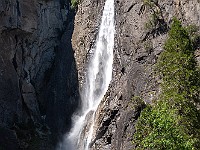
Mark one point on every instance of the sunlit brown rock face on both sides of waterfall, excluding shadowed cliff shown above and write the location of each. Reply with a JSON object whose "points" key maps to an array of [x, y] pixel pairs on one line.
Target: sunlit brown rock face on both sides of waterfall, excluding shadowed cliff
{"points": [[138, 42]]}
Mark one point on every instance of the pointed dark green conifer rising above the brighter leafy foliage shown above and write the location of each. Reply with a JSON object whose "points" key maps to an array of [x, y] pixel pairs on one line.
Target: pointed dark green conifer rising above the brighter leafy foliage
{"points": [[177, 64]]}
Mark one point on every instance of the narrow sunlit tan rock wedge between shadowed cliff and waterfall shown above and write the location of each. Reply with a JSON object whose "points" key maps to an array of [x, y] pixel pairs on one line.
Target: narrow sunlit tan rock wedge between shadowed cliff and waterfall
{"points": [[87, 22]]}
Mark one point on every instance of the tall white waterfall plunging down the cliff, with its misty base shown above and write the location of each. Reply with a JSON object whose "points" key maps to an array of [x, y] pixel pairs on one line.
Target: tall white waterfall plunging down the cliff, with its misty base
{"points": [[98, 77]]}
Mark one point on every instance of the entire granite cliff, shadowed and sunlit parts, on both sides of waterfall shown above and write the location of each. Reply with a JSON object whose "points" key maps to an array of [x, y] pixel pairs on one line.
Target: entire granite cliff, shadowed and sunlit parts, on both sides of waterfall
{"points": [[44, 50]]}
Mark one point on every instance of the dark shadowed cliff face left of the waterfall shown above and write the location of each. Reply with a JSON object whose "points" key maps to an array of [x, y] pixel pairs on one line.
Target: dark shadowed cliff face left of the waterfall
{"points": [[38, 77]]}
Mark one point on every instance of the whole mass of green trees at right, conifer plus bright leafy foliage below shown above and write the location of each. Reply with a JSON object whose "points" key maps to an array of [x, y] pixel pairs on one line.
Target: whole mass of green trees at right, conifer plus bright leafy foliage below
{"points": [[173, 122]]}
